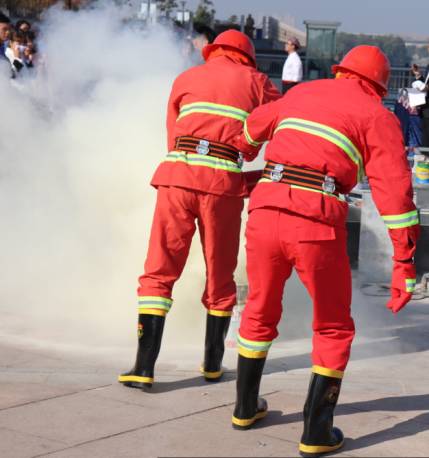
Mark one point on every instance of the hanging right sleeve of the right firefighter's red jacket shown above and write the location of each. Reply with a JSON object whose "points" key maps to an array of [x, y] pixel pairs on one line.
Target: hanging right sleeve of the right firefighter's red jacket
{"points": [[389, 176]]}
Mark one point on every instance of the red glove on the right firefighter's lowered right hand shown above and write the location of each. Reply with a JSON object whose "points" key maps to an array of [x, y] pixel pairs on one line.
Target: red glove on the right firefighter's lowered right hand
{"points": [[403, 285]]}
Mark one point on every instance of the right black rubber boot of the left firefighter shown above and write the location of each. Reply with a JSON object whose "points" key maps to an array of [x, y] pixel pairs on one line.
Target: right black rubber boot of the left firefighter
{"points": [[216, 330]]}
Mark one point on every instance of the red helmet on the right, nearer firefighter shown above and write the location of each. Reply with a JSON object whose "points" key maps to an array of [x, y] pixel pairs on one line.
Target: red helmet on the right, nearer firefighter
{"points": [[369, 62]]}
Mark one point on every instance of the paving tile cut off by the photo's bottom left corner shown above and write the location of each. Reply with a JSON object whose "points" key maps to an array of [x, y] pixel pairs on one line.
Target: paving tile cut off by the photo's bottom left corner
{"points": [[14, 444]]}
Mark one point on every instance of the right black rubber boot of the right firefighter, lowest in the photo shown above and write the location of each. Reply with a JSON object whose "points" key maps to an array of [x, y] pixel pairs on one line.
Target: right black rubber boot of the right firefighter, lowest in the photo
{"points": [[320, 436]]}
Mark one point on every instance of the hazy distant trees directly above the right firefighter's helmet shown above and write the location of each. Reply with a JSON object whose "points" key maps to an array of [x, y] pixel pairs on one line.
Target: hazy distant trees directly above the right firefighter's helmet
{"points": [[392, 45]]}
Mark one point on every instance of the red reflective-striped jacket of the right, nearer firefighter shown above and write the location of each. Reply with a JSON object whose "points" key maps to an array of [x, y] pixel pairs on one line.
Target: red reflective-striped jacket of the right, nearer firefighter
{"points": [[340, 128]]}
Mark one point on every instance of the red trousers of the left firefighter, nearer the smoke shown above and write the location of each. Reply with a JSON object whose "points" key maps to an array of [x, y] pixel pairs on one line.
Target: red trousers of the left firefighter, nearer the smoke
{"points": [[174, 224]]}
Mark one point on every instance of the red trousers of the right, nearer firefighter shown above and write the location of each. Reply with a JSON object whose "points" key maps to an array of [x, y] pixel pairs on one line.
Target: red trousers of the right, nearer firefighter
{"points": [[277, 242]]}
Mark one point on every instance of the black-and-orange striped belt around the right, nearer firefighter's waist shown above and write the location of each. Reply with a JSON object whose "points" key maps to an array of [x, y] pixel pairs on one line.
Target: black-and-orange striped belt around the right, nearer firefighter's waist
{"points": [[298, 176]]}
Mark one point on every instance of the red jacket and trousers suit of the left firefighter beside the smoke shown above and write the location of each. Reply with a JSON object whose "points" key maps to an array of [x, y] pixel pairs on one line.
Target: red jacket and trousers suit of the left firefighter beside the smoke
{"points": [[209, 102]]}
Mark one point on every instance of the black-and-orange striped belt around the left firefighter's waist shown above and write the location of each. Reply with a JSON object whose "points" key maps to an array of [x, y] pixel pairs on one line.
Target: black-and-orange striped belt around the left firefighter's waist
{"points": [[208, 148]]}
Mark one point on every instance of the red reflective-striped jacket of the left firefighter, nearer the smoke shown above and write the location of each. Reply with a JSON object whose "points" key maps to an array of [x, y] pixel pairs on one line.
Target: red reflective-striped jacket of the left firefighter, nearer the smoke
{"points": [[211, 101]]}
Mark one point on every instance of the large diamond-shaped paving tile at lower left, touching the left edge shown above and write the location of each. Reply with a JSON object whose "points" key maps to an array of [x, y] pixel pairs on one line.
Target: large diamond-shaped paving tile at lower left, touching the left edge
{"points": [[78, 418]]}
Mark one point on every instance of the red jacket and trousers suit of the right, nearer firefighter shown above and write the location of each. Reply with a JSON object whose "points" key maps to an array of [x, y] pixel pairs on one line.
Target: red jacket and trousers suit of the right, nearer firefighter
{"points": [[340, 128]]}
